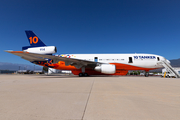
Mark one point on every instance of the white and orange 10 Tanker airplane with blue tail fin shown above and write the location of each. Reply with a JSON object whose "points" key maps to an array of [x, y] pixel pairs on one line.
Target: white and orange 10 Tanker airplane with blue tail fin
{"points": [[87, 64]]}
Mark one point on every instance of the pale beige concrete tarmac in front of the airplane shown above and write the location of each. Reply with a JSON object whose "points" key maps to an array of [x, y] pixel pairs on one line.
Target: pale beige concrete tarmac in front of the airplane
{"points": [[57, 97]]}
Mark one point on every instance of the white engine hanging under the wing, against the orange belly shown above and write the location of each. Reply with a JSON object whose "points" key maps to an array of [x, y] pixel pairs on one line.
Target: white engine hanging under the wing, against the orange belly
{"points": [[106, 68]]}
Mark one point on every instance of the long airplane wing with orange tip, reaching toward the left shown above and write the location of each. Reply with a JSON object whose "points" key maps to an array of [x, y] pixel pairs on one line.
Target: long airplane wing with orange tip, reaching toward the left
{"points": [[40, 57]]}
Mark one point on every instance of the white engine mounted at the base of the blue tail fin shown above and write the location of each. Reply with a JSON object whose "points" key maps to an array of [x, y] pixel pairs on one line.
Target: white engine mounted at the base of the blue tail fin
{"points": [[42, 50]]}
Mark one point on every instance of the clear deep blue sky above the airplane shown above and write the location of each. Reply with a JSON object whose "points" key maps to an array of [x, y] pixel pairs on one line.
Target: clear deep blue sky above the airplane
{"points": [[92, 26]]}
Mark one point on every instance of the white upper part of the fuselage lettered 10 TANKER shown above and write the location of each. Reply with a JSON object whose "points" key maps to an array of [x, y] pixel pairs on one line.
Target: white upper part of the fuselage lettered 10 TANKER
{"points": [[138, 60]]}
